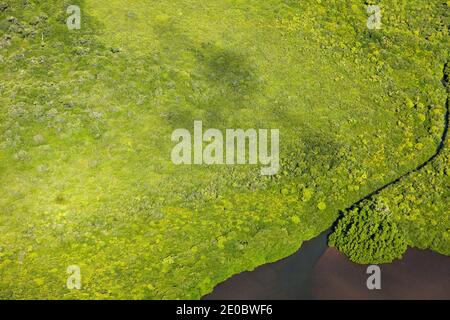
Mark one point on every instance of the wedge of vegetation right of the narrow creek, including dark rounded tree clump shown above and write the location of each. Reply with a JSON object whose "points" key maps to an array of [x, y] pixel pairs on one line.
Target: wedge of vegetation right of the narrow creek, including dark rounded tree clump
{"points": [[413, 212]]}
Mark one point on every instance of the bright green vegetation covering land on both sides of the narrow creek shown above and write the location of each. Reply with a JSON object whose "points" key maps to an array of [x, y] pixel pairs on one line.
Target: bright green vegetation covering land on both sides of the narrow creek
{"points": [[86, 118]]}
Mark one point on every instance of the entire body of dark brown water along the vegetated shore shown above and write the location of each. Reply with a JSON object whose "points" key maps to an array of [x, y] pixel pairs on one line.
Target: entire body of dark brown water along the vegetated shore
{"points": [[318, 272]]}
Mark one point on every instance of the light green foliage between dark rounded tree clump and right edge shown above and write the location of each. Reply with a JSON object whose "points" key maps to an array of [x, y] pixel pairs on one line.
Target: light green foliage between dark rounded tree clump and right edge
{"points": [[420, 205]]}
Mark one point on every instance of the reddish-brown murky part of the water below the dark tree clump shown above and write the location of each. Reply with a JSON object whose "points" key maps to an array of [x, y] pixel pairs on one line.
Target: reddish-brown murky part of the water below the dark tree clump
{"points": [[420, 274]]}
